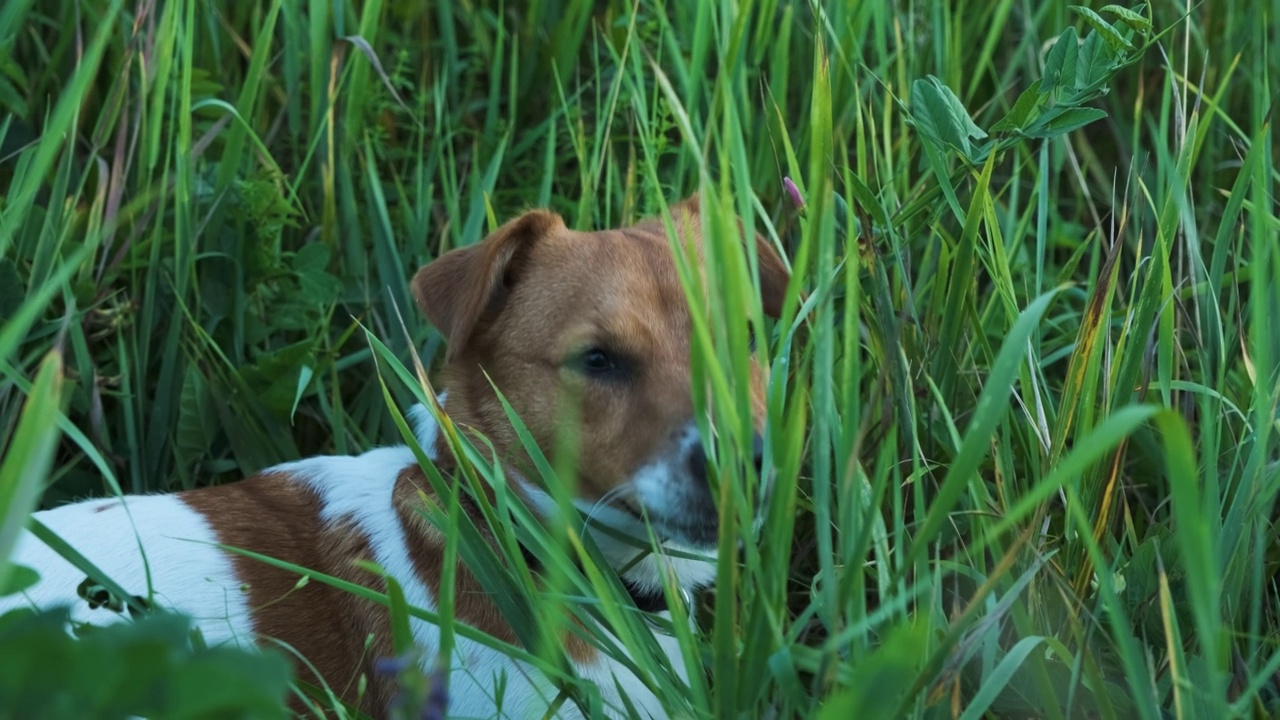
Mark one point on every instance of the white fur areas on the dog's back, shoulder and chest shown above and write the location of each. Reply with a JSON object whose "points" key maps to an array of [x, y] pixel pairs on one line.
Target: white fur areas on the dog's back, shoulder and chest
{"points": [[191, 576]]}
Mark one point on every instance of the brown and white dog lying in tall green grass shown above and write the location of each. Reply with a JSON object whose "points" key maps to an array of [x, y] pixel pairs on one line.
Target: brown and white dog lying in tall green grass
{"points": [[537, 309]]}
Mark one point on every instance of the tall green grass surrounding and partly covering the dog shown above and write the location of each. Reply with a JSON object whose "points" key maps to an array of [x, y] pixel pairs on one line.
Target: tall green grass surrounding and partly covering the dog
{"points": [[1026, 445]]}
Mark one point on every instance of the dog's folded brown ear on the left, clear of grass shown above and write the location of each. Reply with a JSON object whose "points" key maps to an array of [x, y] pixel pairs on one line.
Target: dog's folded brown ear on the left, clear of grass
{"points": [[456, 290]]}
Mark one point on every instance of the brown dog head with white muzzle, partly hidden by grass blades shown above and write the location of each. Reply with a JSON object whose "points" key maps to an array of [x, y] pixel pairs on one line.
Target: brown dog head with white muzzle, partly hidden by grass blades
{"points": [[600, 318]]}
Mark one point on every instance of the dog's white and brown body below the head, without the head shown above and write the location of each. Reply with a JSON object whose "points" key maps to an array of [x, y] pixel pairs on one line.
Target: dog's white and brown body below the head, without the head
{"points": [[322, 513]]}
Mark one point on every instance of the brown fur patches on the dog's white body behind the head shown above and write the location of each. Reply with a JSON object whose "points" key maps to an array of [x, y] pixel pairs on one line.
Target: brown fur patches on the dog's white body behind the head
{"points": [[280, 517]]}
